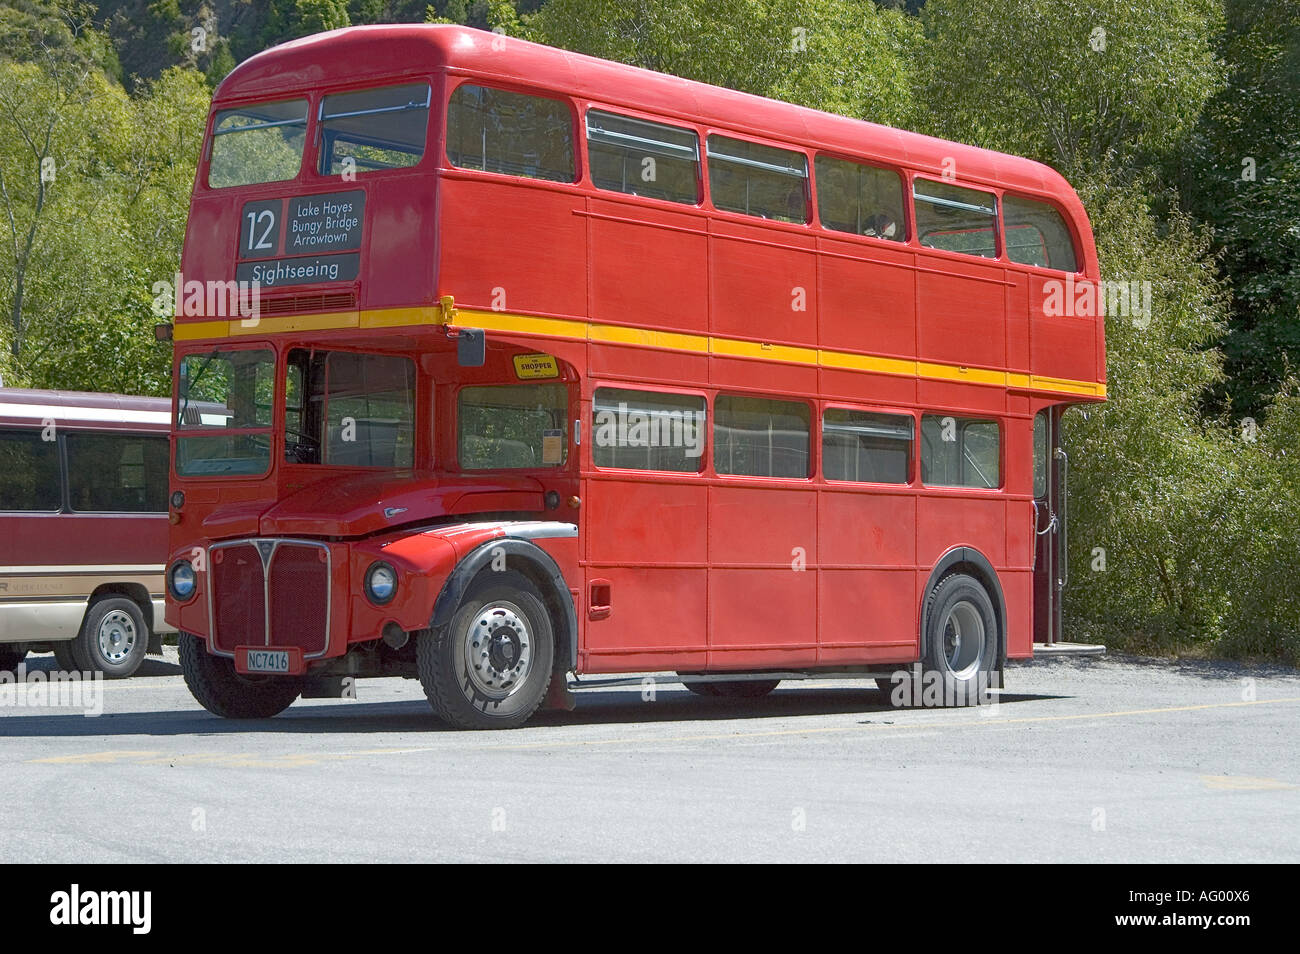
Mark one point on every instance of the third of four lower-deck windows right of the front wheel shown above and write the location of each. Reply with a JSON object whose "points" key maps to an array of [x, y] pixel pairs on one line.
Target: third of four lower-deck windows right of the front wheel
{"points": [[866, 448]]}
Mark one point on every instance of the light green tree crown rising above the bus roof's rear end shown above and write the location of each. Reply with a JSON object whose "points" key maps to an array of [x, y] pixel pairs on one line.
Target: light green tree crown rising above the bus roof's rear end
{"points": [[1085, 85]]}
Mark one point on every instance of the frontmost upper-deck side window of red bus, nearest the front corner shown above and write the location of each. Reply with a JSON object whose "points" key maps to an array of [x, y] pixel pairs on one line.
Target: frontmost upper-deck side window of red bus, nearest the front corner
{"points": [[510, 133]]}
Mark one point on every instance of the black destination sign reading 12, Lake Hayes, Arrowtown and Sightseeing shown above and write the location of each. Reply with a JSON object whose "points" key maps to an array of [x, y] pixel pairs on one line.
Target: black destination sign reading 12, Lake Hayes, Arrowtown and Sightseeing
{"points": [[310, 227]]}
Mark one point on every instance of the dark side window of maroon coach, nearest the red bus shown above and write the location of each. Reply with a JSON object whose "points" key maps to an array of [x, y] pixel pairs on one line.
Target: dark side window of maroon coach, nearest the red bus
{"points": [[118, 474]]}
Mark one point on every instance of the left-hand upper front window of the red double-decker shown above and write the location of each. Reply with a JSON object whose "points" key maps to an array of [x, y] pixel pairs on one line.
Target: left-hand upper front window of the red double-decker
{"points": [[258, 144]]}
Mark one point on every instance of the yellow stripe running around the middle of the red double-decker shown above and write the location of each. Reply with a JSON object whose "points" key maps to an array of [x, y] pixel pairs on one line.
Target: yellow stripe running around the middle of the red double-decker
{"points": [[643, 337]]}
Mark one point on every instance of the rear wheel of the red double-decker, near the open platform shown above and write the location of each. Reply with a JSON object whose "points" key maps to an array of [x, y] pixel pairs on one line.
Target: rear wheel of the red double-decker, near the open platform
{"points": [[961, 639]]}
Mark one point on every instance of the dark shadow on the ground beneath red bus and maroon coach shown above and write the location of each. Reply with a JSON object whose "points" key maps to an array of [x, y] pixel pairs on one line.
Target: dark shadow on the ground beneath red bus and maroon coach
{"points": [[595, 708]]}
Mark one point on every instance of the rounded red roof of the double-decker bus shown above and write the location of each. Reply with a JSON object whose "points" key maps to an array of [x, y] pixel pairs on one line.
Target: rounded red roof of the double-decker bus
{"points": [[391, 51]]}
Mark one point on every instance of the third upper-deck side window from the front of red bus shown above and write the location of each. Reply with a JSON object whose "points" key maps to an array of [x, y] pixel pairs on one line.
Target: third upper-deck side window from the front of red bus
{"points": [[759, 180]]}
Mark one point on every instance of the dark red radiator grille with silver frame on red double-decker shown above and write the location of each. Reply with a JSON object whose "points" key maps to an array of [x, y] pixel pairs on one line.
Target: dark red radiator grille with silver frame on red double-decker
{"points": [[276, 583]]}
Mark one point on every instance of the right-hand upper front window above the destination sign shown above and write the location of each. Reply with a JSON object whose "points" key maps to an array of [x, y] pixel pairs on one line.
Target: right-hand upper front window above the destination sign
{"points": [[374, 129]]}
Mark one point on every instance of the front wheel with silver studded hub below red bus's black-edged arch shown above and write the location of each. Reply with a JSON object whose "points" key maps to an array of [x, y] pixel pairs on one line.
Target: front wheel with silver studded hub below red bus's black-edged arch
{"points": [[491, 667]]}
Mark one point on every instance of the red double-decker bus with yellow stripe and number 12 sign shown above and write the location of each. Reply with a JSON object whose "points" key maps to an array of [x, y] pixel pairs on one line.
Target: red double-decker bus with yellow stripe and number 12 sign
{"points": [[561, 367]]}
